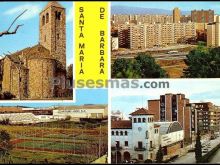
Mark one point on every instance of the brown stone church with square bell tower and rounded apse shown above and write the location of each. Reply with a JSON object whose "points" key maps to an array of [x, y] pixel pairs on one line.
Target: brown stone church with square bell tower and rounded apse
{"points": [[30, 73]]}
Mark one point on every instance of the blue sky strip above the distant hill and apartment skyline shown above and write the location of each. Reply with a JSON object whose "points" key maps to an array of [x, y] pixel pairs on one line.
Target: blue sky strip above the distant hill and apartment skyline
{"points": [[168, 5]]}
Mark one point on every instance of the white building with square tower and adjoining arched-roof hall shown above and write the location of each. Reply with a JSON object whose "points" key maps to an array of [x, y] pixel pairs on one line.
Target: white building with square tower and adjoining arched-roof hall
{"points": [[140, 137]]}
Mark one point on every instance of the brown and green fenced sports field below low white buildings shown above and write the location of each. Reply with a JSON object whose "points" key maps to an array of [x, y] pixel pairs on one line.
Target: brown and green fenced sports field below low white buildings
{"points": [[57, 142]]}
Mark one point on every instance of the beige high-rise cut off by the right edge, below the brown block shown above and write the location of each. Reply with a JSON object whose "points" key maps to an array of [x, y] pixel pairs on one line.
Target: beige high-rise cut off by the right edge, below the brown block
{"points": [[213, 33]]}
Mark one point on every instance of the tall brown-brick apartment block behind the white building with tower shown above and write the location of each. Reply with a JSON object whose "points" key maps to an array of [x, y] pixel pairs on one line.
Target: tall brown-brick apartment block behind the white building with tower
{"points": [[172, 107]]}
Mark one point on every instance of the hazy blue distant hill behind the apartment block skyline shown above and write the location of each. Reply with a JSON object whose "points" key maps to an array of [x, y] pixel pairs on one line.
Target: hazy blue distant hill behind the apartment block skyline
{"points": [[140, 10]]}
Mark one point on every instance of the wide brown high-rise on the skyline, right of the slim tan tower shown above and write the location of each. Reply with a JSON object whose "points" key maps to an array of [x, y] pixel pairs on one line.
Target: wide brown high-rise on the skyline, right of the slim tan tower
{"points": [[202, 16]]}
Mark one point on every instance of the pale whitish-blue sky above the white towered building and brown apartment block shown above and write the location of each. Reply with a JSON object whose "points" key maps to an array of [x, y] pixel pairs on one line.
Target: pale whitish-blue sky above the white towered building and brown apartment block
{"points": [[197, 90]]}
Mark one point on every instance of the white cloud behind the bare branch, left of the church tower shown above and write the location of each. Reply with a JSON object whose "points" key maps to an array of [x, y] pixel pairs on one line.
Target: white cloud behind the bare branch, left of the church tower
{"points": [[33, 10]]}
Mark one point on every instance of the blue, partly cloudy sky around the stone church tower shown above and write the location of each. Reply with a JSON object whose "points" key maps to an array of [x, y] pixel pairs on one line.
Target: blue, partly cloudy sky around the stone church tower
{"points": [[28, 35]]}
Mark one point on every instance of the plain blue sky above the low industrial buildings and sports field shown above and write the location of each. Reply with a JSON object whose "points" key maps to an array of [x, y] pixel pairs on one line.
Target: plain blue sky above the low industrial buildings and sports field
{"points": [[83, 96]]}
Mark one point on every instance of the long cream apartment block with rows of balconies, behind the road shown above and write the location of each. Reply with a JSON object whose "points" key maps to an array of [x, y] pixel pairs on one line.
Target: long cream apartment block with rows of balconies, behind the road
{"points": [[142, 36]]}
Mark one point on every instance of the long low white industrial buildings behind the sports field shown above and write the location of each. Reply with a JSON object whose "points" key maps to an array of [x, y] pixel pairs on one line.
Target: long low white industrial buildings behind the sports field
{"points": [[27, 115]]}
